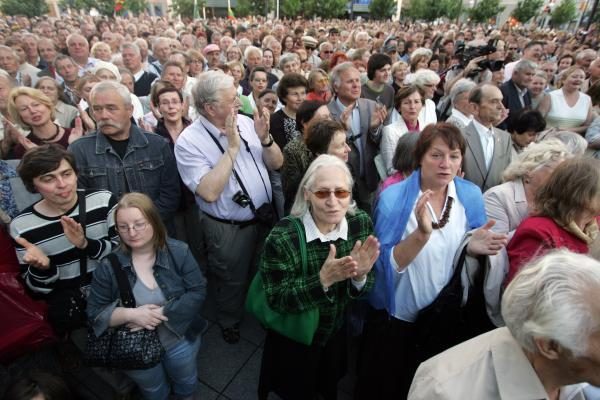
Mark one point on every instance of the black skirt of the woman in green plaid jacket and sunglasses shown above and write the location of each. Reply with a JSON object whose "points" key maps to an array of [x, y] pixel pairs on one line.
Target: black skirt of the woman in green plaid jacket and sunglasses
{"points": [[295, 371]]}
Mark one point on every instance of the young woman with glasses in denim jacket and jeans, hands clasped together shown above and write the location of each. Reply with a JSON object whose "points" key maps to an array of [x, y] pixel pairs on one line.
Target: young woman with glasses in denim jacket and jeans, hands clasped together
{"points": [[169, 290]]}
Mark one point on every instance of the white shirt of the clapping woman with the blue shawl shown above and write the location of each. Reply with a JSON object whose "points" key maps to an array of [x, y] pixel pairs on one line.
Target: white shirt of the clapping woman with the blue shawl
{"points": [[421, 281]]}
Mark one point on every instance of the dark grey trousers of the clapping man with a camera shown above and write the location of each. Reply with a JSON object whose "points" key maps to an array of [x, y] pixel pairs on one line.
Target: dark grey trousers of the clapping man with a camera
{"points": [[232, 255]]}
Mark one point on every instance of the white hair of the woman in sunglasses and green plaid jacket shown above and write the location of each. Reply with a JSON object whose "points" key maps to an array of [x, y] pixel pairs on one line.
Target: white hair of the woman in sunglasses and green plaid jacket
{"points": [[301, 205]]}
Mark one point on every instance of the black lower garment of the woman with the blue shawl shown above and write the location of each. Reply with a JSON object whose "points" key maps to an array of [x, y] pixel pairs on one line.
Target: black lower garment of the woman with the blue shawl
{"points": [[387, 360]]}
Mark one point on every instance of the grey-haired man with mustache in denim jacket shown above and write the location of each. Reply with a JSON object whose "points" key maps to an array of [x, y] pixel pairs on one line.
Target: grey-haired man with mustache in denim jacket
{"points": [[122, 158]]}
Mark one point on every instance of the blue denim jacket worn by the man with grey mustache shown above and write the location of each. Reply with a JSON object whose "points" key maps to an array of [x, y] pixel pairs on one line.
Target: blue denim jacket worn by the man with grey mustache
{"points": [[148, 167]]}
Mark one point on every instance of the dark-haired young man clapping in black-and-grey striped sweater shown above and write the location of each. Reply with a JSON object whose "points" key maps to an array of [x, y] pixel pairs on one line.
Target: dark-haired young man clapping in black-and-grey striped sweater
{"points": [[51, 244]]}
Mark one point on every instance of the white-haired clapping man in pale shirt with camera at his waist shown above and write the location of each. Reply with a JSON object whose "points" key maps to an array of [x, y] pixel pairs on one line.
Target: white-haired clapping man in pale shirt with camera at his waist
{"points": [[224, 159]]}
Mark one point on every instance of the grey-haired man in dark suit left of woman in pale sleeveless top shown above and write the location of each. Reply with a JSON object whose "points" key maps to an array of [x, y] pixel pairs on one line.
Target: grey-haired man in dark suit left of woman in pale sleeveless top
{"points": [[514, 91]]}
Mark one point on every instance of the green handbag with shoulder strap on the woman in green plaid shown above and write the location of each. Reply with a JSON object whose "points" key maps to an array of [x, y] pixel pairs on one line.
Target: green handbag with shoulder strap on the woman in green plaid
{"points": [[300, 327]]}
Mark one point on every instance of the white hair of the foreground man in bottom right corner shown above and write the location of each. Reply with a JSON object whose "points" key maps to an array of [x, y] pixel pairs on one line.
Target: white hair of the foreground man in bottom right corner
{"points": [[553, 298]]}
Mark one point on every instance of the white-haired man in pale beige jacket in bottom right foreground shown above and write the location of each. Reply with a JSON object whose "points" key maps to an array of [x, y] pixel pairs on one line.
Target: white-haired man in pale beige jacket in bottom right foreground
{"points": [[550, 345]]}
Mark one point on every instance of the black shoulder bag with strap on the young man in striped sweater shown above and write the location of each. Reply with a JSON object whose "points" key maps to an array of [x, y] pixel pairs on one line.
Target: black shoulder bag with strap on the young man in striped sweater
{"points": [[66, 306]]}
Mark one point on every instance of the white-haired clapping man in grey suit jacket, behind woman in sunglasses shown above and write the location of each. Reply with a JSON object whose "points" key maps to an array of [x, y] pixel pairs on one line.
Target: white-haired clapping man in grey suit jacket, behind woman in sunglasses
{"points": [[363, 119]]}
